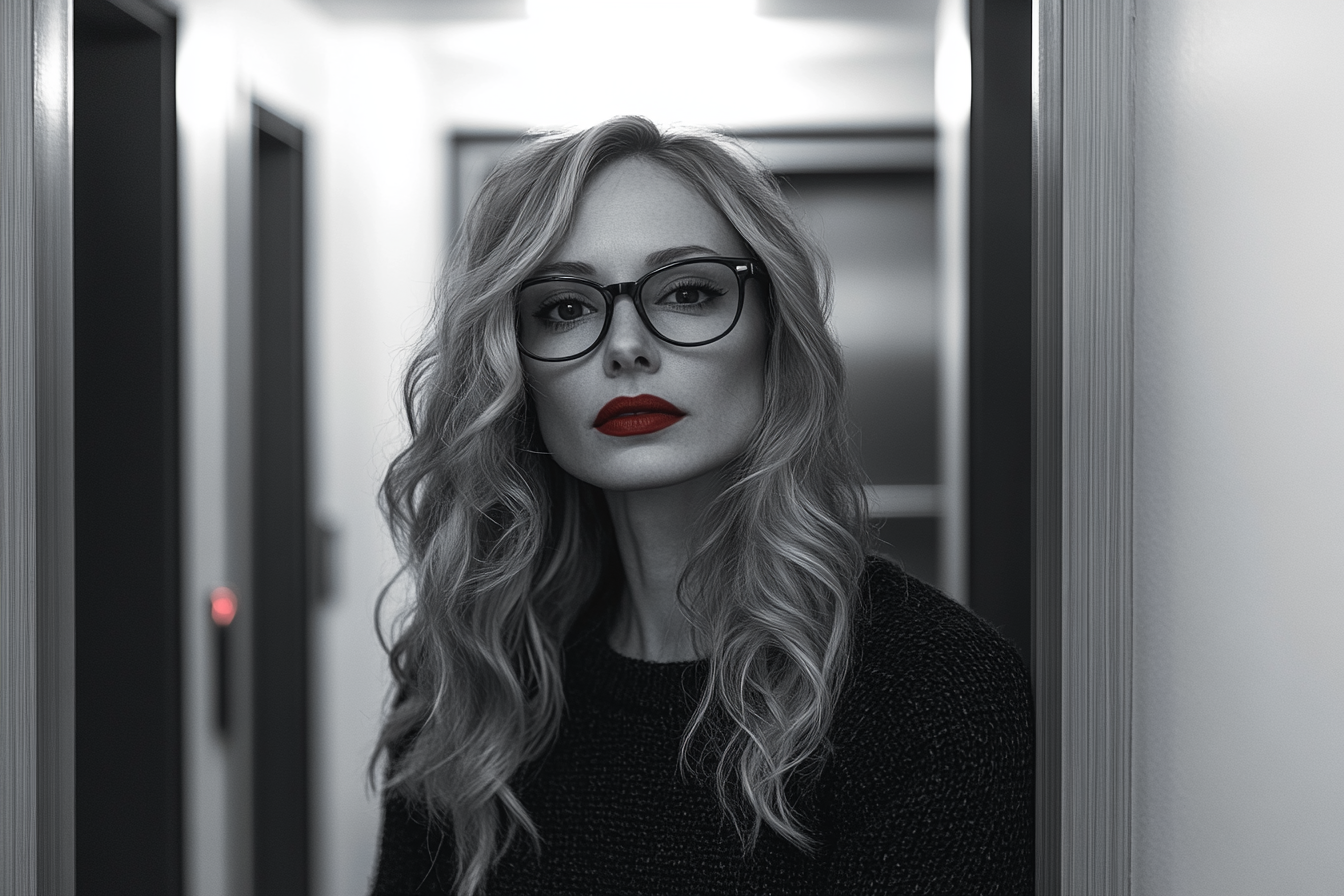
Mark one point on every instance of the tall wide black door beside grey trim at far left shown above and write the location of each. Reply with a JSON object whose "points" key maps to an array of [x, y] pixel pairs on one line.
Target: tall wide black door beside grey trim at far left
{"points": [[128, 670]]}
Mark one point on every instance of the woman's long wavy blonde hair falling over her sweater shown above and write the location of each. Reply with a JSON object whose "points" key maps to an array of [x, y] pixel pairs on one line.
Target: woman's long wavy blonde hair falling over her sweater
{"points": [[505, 549]]}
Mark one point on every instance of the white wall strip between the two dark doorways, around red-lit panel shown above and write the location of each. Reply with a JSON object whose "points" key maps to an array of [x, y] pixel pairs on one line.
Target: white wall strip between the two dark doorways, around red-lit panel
{"points": [[230, 53]]}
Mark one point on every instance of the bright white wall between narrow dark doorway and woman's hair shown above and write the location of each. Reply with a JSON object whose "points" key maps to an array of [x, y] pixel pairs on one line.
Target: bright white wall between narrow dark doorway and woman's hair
{"points": [[380, 198]]}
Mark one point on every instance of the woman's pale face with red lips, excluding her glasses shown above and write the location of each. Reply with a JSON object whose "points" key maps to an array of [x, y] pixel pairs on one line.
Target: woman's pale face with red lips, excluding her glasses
{"points": [[632, 218]]}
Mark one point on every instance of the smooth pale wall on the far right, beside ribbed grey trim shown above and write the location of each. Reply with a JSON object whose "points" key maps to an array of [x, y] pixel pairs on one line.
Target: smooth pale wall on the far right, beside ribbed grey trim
{"points": [[1240, 448]]}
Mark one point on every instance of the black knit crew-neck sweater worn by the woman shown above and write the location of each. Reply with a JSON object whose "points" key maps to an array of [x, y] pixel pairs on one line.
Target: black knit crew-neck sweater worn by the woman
{"points": [[928, 788]]}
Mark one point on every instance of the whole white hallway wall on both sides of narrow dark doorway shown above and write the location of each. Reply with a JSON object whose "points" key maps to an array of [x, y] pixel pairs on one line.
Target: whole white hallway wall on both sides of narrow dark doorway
{"points": [[374, 230]]}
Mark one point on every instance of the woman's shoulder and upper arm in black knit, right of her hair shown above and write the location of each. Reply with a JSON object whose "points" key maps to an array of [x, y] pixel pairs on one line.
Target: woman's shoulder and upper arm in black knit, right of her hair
{"points": [[929, 784]]}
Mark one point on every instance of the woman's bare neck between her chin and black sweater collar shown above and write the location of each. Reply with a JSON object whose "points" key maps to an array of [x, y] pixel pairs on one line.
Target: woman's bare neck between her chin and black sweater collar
{"points": [[654, 535]]}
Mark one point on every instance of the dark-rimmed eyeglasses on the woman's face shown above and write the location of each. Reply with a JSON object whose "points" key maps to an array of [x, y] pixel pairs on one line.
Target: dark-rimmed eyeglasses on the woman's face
{"points": [[687, 303]]}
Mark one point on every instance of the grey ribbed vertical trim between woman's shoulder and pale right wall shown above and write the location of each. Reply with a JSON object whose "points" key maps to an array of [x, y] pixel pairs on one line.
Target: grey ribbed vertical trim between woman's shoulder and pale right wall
{"points": [[1084, 455]]}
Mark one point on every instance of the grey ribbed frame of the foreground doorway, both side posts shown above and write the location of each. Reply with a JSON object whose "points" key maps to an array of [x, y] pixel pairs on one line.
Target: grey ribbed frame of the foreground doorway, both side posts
{"points": [[1083, 362]]}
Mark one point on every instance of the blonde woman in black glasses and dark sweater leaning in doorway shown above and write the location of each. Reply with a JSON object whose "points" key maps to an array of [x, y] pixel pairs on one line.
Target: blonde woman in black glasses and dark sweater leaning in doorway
{"points": [[648, 652]]}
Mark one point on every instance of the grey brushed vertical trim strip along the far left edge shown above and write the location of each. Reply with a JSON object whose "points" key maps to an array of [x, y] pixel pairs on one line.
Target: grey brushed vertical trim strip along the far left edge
{"points": [[37, 451]]}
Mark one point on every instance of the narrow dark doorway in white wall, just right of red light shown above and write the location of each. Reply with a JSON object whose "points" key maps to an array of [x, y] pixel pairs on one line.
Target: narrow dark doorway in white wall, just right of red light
{"points": [[280, 584]]}
